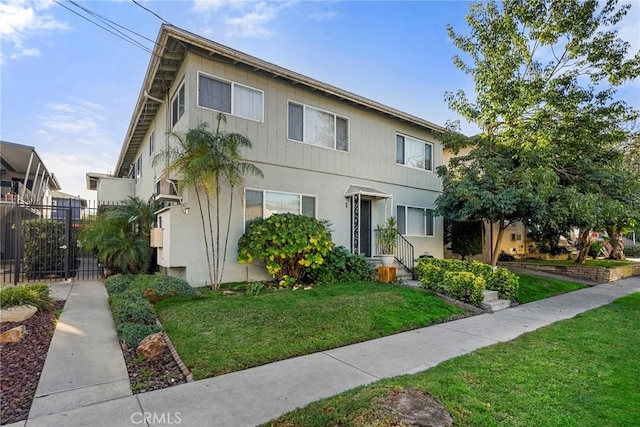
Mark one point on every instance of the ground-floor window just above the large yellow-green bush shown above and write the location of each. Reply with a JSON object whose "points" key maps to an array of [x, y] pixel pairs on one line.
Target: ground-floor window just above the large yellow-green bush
{"points": [[262, 204]]}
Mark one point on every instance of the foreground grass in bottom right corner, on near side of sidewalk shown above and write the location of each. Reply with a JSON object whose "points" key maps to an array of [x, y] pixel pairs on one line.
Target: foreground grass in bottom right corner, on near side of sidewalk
{"points": [[579, 372]]}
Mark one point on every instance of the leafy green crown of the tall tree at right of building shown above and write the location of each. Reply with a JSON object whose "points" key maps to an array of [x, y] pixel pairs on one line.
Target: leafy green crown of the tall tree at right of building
{"points": [[545, 74]]}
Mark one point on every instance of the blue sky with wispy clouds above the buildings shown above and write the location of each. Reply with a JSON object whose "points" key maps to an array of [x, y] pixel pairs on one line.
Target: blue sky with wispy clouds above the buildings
{"points": [[69, 88]]}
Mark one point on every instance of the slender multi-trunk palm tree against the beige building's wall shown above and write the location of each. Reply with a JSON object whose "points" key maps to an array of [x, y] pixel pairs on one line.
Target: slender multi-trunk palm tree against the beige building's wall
{"points": [[207, 161]]}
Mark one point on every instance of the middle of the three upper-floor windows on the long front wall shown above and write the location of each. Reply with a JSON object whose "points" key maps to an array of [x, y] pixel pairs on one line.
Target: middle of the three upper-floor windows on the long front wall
{"points": [[317, 127]]}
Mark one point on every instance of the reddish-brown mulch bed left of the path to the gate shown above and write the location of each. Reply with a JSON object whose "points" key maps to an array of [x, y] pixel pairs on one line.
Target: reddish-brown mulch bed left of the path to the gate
{"points": [[22, 365]]}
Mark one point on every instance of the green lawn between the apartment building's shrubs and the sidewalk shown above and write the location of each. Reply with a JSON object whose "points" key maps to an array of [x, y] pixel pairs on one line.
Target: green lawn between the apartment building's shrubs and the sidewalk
{"points": [[219, 334]]}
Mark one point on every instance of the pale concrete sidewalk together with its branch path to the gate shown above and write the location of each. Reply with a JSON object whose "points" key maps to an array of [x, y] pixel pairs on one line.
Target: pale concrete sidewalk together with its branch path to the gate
{"points": [[256, 395]]}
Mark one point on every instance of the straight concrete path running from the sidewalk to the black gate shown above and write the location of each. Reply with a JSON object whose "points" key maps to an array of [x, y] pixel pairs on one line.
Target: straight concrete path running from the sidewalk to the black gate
{"points": [[84, 364]]}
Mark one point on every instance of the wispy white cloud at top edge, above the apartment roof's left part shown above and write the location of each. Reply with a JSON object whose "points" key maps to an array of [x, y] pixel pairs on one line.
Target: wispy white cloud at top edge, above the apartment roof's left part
{"points": [[241, 18]]}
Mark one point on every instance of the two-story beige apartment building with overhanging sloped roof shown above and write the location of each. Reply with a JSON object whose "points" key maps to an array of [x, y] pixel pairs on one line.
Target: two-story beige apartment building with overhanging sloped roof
{"points": [[324, 152]]}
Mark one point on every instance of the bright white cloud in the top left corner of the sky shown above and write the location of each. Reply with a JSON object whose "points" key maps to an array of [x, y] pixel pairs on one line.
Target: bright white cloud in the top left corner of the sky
{"points": [[21, 20]]}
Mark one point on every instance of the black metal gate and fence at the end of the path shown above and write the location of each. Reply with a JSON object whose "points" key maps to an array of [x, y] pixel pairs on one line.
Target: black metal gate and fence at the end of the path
{"points": [[40, 243]]}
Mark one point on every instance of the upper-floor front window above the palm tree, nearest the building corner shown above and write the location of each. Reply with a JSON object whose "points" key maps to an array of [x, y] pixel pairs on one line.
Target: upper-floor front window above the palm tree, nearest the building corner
{"points": [[231, 98]]}
